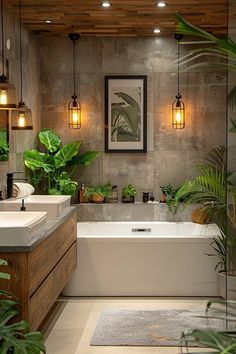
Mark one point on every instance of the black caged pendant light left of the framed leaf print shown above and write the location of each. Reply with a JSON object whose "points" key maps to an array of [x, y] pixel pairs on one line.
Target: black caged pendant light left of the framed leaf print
{"points": [[74, 109]]}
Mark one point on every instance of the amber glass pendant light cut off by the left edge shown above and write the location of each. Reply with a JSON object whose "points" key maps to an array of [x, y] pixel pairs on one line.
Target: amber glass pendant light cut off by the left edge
{"points": [[7, 90]]}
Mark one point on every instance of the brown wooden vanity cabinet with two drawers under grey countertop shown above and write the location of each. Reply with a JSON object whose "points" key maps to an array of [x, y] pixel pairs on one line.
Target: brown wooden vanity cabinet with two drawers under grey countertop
{"points": [[38, 276]]}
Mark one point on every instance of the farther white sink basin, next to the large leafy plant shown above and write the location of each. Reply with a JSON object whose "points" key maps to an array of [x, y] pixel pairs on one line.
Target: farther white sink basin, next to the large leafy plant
{"points": [[54, 205]]}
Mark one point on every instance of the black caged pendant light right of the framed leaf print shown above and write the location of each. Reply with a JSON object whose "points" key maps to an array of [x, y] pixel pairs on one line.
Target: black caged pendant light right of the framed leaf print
{"points": [[178, 108]]}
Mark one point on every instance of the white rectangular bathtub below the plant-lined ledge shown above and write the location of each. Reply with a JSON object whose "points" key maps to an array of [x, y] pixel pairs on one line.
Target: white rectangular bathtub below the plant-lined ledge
{"points": [[144, 259]]}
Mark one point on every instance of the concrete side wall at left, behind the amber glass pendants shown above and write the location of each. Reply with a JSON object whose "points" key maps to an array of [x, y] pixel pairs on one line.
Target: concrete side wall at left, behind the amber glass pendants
{"points": [[22, 140]]}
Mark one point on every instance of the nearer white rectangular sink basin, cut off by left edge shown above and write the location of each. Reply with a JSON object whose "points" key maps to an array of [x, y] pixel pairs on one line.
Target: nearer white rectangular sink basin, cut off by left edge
{"points": [[21, 228]]}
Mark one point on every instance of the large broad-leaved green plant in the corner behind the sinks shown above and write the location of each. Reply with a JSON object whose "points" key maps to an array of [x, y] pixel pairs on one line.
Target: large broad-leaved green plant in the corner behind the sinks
{"points": [[53, 169]]}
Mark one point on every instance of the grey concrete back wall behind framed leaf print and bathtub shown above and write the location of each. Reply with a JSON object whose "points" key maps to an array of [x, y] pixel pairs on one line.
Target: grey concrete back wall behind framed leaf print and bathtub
{"points": [[171, 154]]}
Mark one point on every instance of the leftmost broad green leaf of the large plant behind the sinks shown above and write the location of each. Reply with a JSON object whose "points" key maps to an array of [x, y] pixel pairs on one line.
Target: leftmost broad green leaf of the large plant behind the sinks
{"points": [[36, 160]]}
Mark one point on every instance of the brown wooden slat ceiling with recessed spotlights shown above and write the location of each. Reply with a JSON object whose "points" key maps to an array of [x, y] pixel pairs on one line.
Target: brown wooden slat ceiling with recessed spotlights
{"points": [[123, 18]]}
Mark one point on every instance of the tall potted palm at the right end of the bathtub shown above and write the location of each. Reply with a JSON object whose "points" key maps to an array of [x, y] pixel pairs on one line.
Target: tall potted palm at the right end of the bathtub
{"points": [[214, 190]]}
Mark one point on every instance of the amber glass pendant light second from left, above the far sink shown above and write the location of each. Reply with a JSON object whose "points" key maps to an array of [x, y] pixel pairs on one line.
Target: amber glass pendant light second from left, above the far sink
{"points": [[22, 119]]}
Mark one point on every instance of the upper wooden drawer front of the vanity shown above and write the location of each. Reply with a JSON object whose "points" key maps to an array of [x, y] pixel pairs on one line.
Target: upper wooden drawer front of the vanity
{"points": [[44, 257]]}
